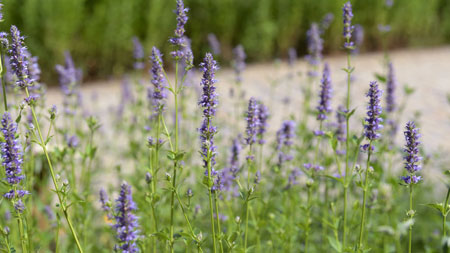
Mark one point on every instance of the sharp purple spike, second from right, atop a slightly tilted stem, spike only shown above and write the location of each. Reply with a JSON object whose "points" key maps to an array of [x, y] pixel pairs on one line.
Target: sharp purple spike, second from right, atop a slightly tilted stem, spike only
{"points": [[373, 119]]}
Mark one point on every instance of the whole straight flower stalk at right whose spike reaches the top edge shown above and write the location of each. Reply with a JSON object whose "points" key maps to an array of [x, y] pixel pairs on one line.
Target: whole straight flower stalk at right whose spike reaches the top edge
{"points": [[348, 45]]}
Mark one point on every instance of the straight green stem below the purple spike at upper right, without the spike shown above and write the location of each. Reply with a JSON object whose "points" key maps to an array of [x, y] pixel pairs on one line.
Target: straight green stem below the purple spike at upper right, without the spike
{"points": [[347, 154]]}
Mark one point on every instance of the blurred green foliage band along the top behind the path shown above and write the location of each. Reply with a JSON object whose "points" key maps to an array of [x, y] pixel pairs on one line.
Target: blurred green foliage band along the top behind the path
{"points": [[98, 32]]}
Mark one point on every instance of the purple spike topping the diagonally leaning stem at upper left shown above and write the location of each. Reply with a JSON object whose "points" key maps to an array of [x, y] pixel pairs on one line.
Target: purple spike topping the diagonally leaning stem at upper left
{"points": [[18, 59]]}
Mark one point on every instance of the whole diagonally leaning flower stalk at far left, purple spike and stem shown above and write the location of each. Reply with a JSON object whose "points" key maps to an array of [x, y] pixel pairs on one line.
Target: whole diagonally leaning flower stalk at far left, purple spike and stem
{"points": [[19, 65]]}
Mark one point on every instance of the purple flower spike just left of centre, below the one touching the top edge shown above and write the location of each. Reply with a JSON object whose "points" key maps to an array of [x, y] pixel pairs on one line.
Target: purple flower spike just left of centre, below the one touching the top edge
{"points": [[158, 80]]}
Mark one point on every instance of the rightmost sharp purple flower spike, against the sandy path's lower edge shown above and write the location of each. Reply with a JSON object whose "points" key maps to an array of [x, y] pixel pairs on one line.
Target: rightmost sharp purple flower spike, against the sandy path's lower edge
{"points": [[412, 158]]}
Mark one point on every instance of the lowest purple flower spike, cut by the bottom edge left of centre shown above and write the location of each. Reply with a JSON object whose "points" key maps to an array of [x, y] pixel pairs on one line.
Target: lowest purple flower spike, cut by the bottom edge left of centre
{"points": [[126, 222]]}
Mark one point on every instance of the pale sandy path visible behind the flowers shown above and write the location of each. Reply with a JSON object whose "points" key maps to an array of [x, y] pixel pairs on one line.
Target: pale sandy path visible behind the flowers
{"points": [[426, 70]]}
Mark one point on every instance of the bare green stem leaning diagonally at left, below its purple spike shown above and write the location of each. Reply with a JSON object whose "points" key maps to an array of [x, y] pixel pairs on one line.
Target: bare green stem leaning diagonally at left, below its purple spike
{"points": [[52, 173]]}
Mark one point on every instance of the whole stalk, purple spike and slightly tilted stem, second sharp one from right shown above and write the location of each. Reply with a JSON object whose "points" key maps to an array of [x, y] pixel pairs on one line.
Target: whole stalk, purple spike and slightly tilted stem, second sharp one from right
{"points": [[371, 128]]}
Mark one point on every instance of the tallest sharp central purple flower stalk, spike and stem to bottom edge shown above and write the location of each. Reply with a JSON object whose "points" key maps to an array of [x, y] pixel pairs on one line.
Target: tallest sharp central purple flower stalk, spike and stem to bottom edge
{"points": [[208, 102]]}
